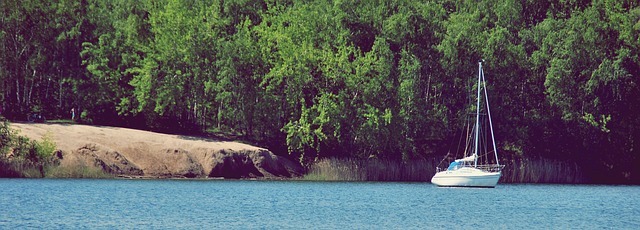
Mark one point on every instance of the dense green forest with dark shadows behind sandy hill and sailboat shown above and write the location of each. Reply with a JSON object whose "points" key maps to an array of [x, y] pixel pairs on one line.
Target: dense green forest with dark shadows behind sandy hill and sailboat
{"points": [[323, 79]]}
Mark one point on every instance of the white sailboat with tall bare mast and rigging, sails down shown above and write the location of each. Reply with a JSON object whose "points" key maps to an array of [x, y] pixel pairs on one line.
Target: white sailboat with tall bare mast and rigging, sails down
{"points": [[476, 168]]}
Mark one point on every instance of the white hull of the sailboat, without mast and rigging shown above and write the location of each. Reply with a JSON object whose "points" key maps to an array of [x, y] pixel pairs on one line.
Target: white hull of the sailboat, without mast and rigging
{"points": [[466, 177]]}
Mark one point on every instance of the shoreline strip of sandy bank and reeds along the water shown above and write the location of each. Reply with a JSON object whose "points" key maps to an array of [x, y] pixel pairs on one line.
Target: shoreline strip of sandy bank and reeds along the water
{"points": [[85, 151]]}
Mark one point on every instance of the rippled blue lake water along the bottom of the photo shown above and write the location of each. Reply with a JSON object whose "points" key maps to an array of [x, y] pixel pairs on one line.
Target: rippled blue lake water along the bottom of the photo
{"points": [[222, 204]]}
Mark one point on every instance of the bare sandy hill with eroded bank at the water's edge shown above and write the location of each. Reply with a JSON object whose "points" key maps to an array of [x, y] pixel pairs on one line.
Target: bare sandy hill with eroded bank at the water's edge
{"points": [[131, 152]]}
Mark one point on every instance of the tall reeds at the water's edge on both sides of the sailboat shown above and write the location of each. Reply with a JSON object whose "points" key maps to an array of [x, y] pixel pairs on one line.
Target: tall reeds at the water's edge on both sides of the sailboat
{"points": [[520, 171]]}
